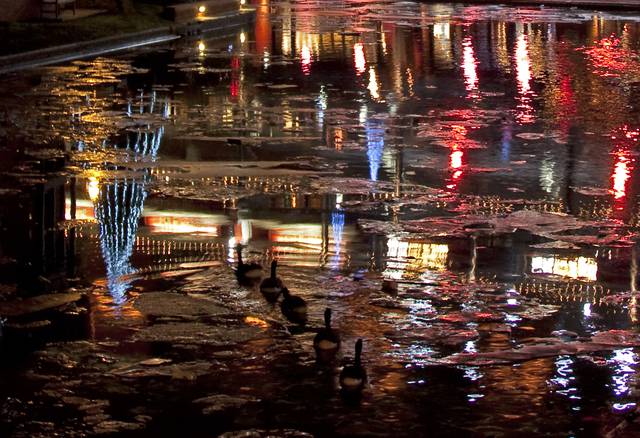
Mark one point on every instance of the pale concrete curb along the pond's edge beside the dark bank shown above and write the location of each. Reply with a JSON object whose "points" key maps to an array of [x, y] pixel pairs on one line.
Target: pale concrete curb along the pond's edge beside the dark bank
{"points": [[68, 52]]}
